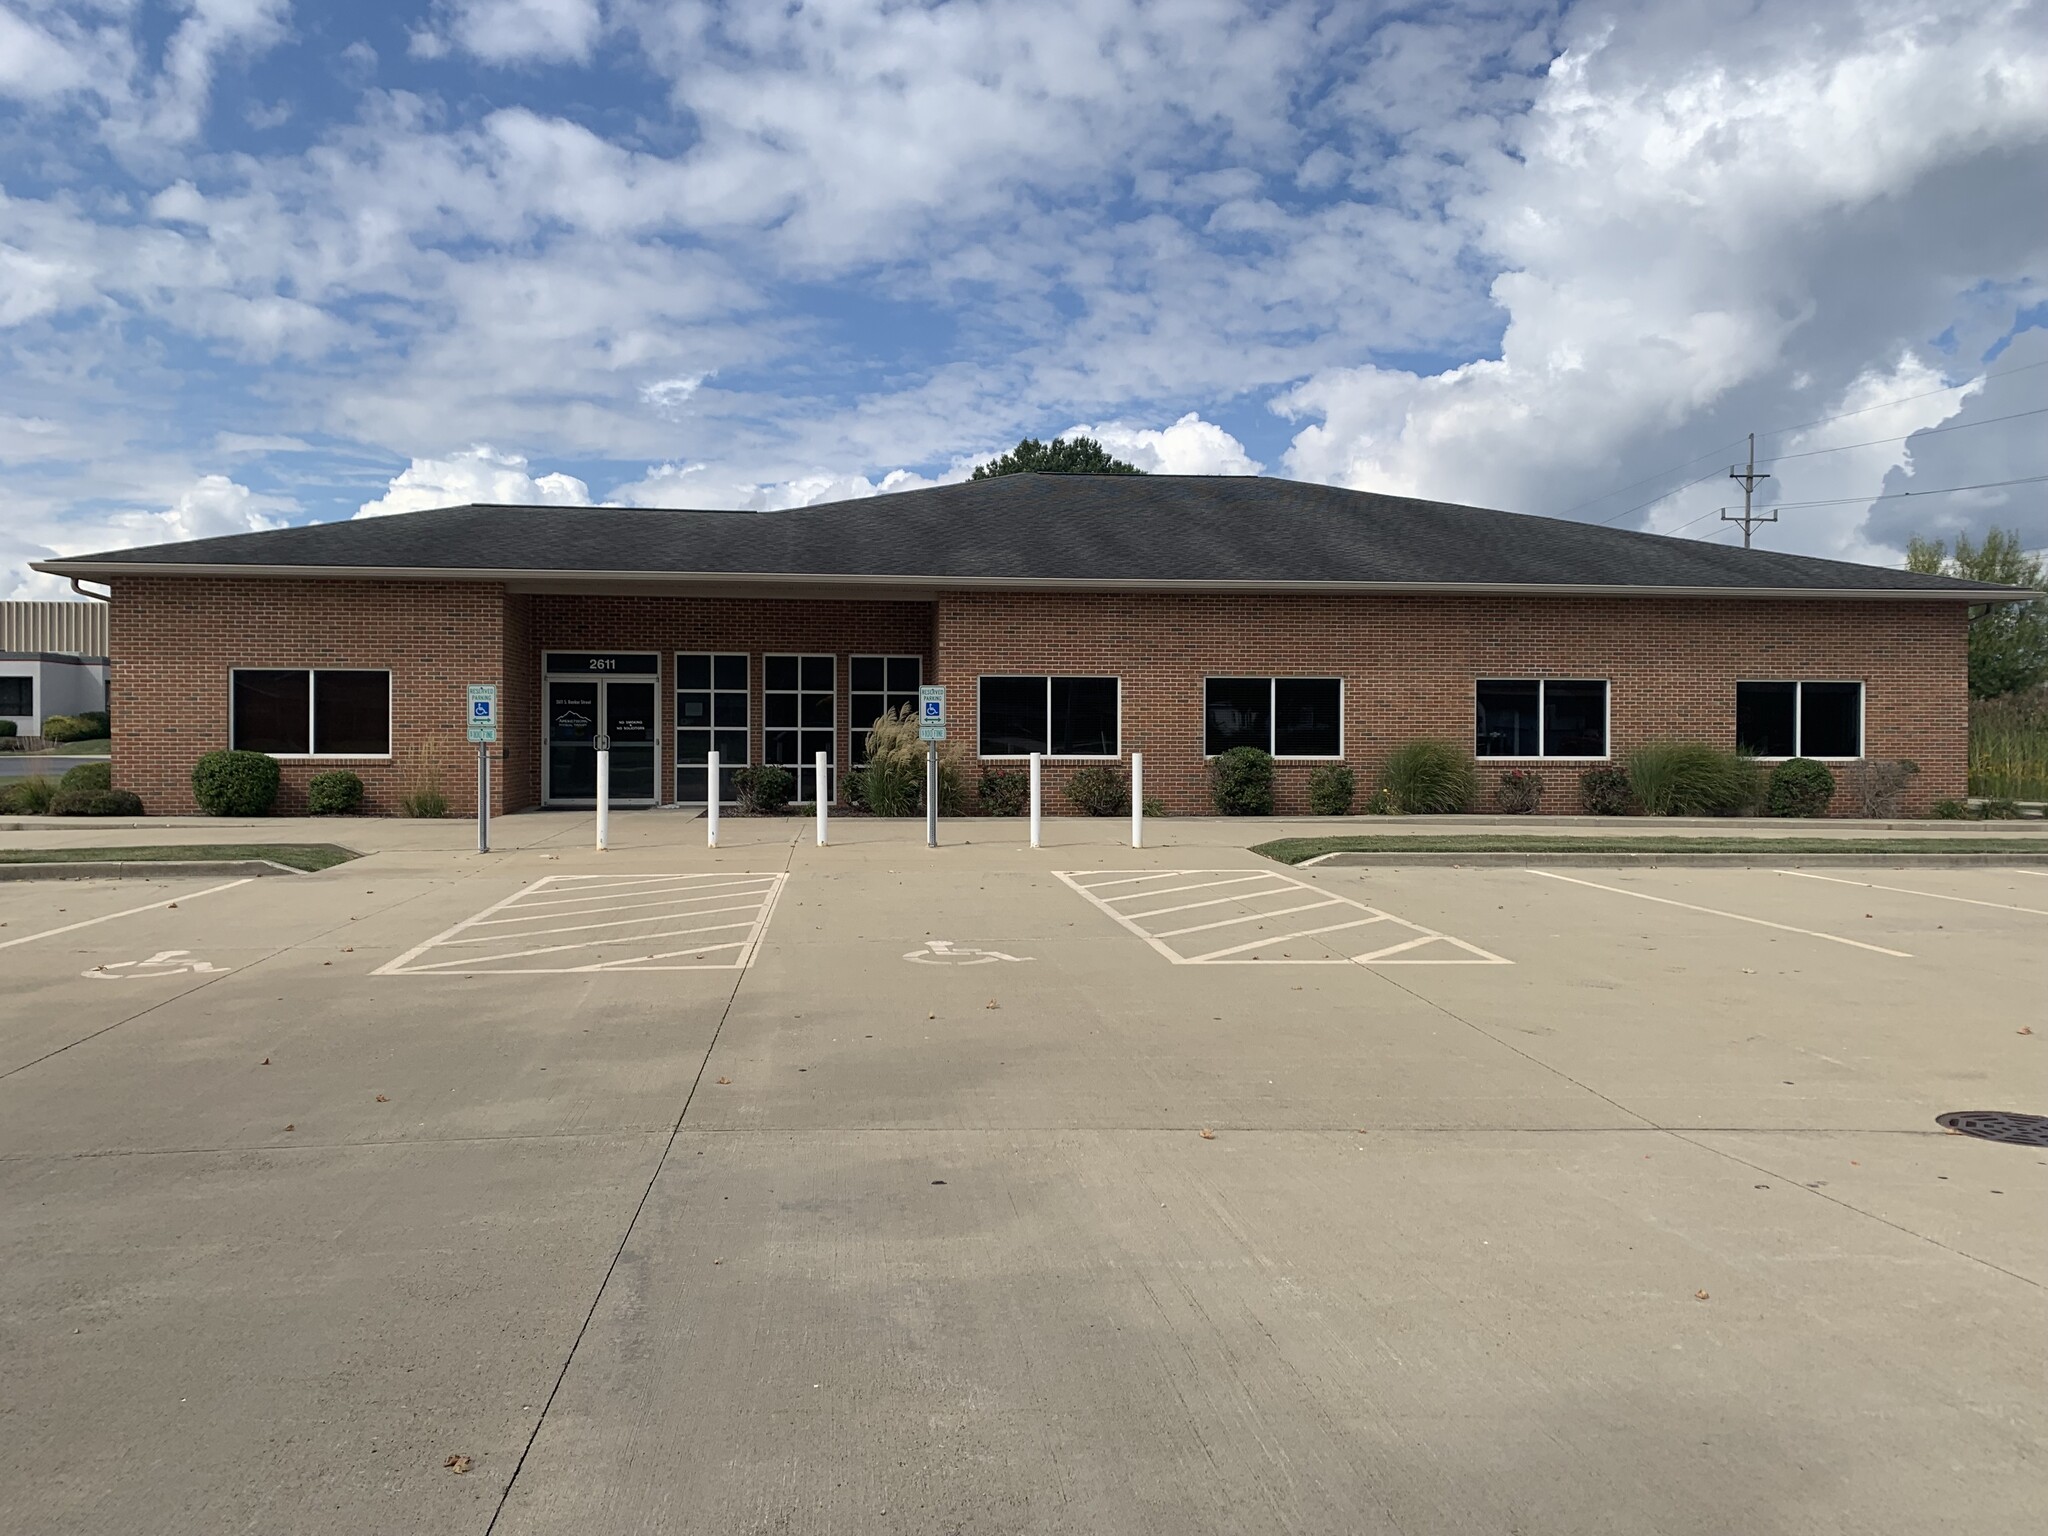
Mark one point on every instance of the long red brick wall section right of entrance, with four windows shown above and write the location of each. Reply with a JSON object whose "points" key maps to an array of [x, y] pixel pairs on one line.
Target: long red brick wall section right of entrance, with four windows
{"points": [[1410, 667]]}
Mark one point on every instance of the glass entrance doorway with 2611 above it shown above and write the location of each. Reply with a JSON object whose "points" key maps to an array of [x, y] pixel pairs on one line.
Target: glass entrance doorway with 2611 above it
{"points": [[591, 695]]}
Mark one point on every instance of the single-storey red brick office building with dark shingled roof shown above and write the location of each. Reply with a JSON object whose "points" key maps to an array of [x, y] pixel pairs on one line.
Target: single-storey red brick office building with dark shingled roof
{"points": [[1086, 617]]}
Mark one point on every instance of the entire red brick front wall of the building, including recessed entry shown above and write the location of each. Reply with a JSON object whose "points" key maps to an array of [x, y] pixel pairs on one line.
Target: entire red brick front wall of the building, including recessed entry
{"points": [[1408, 667]]}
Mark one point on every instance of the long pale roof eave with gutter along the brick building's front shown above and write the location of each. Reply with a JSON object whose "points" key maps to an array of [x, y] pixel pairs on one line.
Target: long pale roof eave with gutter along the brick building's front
{"points": [[105, 570]]}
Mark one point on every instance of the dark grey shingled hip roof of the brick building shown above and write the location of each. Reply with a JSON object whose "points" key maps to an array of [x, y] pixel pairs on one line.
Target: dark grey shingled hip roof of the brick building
{"points": [[1101, 531]]}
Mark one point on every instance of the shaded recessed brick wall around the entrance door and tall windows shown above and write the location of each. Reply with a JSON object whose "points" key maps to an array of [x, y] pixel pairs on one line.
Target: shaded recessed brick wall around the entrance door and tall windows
{"points": [[753, 626]]}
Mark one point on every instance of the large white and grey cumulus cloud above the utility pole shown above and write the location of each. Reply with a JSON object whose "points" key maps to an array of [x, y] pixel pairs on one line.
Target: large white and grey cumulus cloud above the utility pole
{"points": [[1691, 251]]}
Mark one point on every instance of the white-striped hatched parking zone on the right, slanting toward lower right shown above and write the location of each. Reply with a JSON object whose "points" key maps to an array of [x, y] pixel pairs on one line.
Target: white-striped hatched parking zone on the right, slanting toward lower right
{"points": [[1222, 916]]}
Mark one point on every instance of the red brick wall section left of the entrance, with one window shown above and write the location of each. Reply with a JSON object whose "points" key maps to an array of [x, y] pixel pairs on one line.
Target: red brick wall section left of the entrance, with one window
{"points": [[177, 638]]}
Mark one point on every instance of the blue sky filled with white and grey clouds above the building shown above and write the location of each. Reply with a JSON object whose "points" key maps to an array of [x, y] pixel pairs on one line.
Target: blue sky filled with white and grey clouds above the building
{"points": [[271, 263]]}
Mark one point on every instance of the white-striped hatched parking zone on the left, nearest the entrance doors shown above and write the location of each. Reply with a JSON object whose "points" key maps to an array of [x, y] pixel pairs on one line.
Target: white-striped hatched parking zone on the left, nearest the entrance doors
{"points": [[603, 923]]}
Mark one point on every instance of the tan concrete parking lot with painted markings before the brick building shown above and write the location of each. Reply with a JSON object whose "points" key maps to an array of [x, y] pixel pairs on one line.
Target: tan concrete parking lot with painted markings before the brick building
{"points": [[869, 1189]]}
